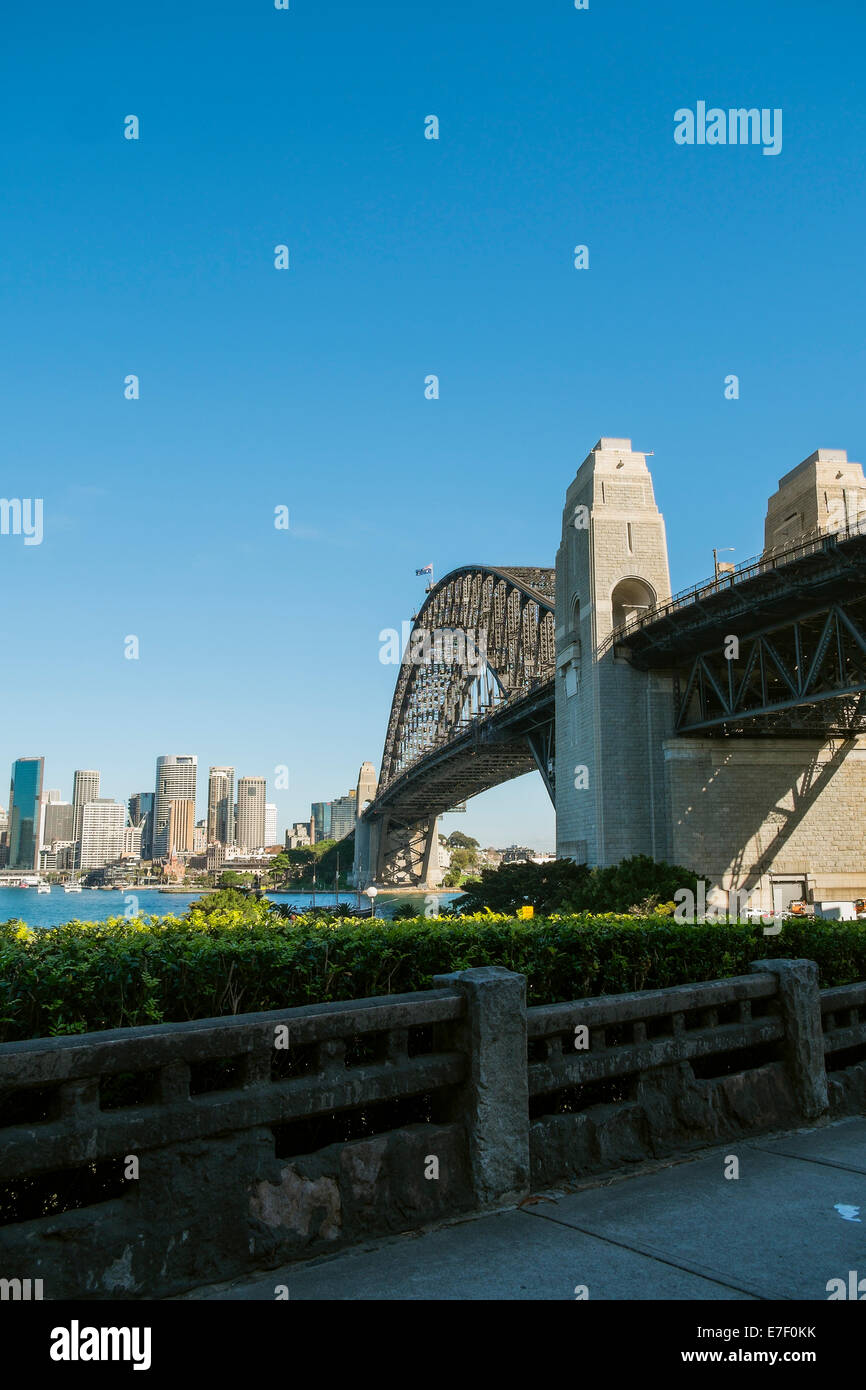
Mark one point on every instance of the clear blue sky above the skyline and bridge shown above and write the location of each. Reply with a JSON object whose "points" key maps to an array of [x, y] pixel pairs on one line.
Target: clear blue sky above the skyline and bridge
{"points": [[408, 256]]}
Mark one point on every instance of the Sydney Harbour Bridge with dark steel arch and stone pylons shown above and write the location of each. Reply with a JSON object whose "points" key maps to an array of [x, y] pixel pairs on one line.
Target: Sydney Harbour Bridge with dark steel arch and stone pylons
{"points": [[768, 653]]}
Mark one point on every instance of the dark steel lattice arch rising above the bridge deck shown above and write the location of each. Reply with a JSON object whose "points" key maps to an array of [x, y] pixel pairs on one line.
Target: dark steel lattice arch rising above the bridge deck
{"points": [[483, 641]]}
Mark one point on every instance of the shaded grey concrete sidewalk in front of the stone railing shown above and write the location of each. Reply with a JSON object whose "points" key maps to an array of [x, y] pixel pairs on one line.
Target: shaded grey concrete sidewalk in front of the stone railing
{"points": [[682, 1231]]}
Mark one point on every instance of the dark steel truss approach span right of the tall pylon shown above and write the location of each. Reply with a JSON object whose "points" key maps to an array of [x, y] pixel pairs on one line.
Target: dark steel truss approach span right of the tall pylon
{"points": [[797, 667]]}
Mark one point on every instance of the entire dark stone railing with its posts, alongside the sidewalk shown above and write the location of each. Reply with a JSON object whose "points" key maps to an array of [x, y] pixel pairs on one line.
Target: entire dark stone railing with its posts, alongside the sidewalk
{"points": [[144, 1163]]}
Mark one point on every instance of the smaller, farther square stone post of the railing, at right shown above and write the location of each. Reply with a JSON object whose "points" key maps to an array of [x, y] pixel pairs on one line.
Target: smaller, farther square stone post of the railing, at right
{"points": [[804, 1042]]}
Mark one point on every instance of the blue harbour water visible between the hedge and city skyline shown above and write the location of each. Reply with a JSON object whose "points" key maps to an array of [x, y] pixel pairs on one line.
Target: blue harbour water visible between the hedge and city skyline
{"points": [[44, 910]]}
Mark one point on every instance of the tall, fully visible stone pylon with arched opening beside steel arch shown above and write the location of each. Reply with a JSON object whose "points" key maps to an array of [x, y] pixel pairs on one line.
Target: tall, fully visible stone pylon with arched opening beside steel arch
{"points": [[611, 719]]}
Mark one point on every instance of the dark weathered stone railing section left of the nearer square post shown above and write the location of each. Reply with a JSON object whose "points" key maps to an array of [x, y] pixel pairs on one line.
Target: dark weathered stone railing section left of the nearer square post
{"points": [[140, 1163]]}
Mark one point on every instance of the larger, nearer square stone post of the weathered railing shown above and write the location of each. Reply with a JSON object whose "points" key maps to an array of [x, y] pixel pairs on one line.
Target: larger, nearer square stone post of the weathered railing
{"points": [[496, 1099]]}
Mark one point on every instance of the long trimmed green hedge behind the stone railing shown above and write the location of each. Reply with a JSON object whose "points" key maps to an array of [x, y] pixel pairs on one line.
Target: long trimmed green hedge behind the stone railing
{"points": [[90, 976]]}
